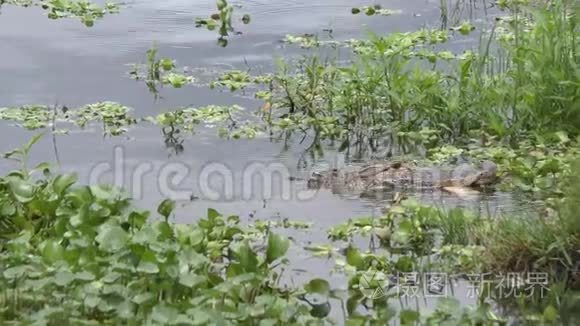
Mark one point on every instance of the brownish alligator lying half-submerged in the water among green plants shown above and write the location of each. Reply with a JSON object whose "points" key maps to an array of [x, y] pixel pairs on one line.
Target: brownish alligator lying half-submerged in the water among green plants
{"points": [[379, 177]]}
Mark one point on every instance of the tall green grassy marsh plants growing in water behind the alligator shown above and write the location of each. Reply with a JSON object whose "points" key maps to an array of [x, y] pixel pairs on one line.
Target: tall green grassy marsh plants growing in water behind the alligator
{"points": [[522, 81]]}
